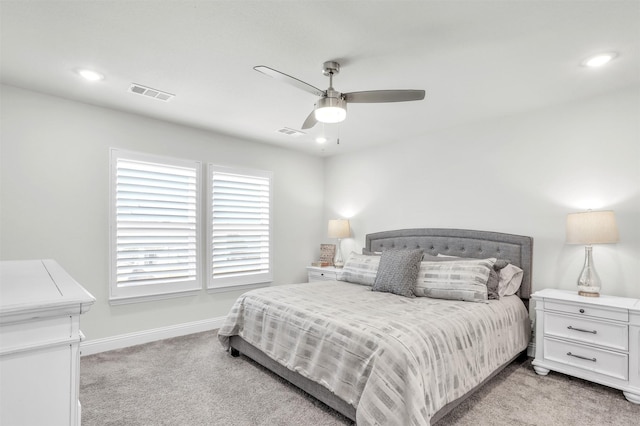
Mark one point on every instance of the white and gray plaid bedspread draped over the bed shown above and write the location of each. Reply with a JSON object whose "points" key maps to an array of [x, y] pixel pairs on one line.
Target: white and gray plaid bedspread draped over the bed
{"points": [[397, 360]]}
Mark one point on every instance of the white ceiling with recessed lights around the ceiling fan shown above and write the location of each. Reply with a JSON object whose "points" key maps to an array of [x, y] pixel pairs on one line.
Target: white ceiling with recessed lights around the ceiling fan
{"points": [[475, 59]]}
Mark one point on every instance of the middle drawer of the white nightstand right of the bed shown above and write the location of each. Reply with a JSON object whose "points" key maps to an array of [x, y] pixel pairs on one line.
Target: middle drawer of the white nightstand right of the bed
{"points": [[582, 329]]}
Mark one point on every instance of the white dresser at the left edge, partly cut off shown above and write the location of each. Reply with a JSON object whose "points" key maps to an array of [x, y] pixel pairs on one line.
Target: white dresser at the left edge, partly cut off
{"points": [[40, 308]]}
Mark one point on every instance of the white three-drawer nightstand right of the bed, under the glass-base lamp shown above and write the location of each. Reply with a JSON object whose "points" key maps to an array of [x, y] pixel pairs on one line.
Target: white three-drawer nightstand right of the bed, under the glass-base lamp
{"points": [[593, 338]]}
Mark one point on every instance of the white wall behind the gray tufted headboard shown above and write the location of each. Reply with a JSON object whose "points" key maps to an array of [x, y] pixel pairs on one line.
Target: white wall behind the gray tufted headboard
{"points": [[519, 174]]}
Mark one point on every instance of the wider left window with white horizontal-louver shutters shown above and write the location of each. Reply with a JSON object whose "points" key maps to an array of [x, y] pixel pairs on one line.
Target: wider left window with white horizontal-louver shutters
{"points": [[155, 226]]}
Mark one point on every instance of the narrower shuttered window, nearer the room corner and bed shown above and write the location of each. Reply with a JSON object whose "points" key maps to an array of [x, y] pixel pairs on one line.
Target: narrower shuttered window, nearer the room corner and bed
{"points": [[239, 216]]}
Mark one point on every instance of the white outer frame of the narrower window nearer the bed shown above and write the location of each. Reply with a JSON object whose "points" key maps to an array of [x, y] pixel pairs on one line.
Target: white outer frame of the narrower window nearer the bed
{"points": [[250, 280]]}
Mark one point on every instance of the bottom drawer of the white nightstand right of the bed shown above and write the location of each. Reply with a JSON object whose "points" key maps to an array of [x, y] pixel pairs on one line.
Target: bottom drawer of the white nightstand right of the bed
{"points": [[600, 361]]}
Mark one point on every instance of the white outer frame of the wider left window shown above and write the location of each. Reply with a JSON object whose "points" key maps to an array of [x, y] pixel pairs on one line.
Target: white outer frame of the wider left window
{"points": [[128, 294]]}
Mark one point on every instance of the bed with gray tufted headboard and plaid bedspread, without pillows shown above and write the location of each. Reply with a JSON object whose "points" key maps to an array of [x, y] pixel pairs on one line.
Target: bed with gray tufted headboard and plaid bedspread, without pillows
{"points": [[380, 358]]}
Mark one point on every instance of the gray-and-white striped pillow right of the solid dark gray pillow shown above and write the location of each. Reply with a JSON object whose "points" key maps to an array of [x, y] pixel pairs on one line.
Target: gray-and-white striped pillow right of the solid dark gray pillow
{"points": [[464, 279]]}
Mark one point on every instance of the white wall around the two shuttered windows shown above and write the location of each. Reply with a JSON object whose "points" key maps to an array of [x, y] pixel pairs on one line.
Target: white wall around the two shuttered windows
{"points": [[54, 199]]}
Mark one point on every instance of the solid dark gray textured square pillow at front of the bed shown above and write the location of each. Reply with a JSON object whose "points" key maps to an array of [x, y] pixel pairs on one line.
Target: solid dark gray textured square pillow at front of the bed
{"points": [[398, 272]]}
